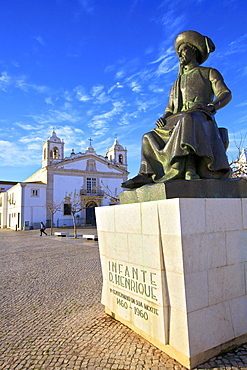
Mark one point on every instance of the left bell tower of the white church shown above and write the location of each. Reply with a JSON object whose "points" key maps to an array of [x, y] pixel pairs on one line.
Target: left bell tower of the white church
{"points": [[53, 150]]}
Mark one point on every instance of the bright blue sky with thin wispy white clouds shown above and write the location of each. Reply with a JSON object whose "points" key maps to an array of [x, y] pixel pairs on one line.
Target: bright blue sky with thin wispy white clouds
{"points": [[101, 68]]}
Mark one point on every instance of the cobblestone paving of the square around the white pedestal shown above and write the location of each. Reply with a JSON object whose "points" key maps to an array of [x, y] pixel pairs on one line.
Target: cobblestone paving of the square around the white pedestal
{"points": [[51, 316]]}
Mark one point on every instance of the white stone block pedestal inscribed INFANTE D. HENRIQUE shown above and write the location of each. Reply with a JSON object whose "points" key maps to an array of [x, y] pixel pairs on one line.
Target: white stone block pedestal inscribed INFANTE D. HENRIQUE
{"points": [[175, 271]]}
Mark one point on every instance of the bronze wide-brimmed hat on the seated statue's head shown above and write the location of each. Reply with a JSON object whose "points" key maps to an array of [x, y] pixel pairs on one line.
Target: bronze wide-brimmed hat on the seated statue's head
{"points": [[203, 44]]}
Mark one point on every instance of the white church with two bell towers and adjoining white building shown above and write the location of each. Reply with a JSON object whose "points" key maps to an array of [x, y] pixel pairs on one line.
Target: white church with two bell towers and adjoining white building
{"points": [[96, 179]]}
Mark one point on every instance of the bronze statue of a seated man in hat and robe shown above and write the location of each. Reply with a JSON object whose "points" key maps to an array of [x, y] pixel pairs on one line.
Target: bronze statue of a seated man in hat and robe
{"points": [[187, 144]]}
